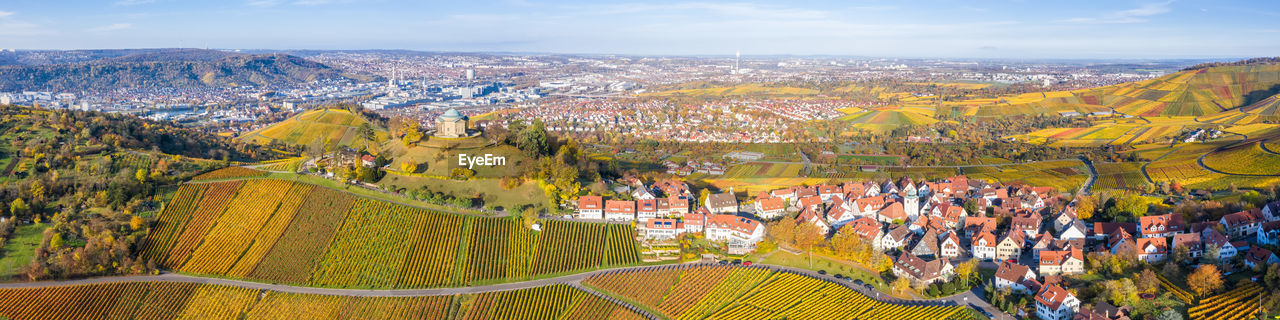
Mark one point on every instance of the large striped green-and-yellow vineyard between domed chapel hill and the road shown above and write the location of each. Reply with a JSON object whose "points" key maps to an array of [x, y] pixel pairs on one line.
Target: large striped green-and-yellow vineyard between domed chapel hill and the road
{"points": [[342, 241]]}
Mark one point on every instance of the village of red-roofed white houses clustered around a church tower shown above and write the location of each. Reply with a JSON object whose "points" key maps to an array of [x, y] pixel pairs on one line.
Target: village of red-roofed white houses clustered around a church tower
{"points": [[1032, 237]]}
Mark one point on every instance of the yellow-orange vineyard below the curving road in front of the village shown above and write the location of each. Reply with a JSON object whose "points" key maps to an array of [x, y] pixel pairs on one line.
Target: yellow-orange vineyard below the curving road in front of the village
{"points": [[734, 292]]}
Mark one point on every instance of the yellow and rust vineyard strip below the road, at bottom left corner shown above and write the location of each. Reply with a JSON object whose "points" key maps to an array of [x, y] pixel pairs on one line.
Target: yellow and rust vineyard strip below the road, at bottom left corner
{"points": [[172, 300]]}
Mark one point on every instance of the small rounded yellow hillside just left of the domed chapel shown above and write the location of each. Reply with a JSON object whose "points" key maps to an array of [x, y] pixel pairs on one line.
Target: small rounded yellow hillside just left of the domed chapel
{"points": [[322, 126]]}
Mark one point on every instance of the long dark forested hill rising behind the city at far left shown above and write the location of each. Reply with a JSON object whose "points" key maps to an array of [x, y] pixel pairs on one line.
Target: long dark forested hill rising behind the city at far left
{"points": [[171, 68]]}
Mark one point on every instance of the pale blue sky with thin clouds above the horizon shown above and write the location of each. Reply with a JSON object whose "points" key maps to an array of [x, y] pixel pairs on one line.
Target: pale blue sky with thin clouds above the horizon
{"points": [[1000, 29]]}
